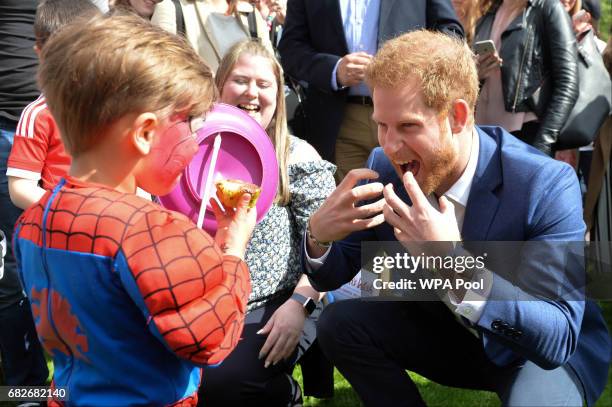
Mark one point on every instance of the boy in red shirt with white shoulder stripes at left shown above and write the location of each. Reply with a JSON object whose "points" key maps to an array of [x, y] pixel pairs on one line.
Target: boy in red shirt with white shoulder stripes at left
{"points": [[38, 156]]}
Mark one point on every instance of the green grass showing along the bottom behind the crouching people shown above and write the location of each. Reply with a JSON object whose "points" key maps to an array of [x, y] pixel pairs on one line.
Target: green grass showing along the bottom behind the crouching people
{"points": [[436, 395]]}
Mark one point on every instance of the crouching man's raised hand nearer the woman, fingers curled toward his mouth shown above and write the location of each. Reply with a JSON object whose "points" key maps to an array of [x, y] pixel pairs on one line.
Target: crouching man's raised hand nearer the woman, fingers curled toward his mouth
{"points": [[338, 216]]}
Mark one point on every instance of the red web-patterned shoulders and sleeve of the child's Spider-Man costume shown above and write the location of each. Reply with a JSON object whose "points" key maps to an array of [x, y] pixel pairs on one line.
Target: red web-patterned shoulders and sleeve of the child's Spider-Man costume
{"points": [[195, 296]]}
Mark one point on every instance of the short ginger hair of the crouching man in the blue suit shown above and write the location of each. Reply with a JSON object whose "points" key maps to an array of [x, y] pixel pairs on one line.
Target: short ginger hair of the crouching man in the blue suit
{"points": [[443, 65]]}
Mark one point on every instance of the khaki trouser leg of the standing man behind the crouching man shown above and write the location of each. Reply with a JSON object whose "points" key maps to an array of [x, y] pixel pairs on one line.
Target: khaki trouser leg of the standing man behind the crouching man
{"points": [[356, 139]]}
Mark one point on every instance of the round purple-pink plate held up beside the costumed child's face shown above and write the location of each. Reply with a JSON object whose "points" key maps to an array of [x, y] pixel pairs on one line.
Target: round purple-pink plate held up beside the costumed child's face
{"points": [[246, 154]]}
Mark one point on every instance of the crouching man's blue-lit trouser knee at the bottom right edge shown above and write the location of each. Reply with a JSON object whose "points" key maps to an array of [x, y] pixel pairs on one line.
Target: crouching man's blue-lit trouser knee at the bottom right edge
{"points": [[533, 386]]}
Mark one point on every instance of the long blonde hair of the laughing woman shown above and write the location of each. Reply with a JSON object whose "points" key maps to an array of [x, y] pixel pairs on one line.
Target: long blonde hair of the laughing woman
{"points": [[277, 129]]}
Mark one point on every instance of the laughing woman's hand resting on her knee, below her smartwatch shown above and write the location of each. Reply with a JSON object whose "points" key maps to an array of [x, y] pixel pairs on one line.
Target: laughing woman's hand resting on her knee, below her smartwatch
{"points": [[284, 329]]}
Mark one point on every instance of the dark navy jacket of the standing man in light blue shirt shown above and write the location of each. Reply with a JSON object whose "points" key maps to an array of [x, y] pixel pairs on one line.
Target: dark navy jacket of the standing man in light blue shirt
{"points": [[313, 41]]}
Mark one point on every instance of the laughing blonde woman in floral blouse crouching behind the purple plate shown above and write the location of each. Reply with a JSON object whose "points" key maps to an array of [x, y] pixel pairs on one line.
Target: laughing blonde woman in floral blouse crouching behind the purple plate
{"points": [[283, 308]]}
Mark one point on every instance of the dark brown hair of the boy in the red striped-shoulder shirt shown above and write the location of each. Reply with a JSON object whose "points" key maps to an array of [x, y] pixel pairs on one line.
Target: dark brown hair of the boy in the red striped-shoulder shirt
{"points": [[52, 15]]}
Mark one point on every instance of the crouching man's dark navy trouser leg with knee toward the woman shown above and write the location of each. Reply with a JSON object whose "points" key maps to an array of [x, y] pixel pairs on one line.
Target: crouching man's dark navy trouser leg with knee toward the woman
{"points": [[373, 343]]}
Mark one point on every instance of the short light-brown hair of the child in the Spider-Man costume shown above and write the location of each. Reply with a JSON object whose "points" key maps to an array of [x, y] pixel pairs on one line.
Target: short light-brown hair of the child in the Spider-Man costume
{"points": [[95, 72]]}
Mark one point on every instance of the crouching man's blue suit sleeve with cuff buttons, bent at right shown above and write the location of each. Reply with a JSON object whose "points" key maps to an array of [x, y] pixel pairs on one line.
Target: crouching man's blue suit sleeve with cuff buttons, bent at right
{"points": [[539, 314]]}
